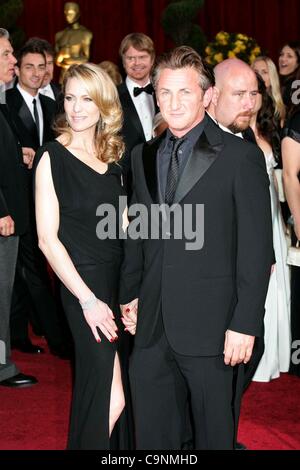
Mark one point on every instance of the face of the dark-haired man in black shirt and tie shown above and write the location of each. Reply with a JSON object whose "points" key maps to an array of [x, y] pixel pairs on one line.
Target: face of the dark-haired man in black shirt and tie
{"points": [[181, 100]]}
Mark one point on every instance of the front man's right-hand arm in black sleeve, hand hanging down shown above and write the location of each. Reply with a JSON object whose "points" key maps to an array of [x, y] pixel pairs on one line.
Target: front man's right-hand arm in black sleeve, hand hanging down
{"points": [[254, 255]]}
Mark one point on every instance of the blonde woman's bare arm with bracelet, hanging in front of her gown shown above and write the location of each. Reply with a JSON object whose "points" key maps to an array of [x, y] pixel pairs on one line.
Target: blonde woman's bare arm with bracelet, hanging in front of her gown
{"points": [[97, 313]]}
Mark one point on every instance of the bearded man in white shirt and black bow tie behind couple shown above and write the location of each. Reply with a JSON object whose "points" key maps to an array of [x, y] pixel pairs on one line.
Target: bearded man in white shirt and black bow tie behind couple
{"points": [[136, 94]]}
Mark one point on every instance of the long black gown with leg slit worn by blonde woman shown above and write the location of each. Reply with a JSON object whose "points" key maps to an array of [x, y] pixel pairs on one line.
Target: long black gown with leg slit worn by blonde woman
{"points": [[80, 191]]}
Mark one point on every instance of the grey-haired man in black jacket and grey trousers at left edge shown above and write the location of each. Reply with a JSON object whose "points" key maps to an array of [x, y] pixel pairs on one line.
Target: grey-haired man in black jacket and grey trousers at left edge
{"points": [[13, 217]]}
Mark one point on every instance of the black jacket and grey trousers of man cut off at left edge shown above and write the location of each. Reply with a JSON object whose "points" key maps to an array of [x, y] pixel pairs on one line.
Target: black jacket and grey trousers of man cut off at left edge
{"points": [[12, 203]]}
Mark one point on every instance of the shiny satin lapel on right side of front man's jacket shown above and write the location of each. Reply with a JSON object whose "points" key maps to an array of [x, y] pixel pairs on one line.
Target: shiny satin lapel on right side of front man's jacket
{"points": [[204, 154]]}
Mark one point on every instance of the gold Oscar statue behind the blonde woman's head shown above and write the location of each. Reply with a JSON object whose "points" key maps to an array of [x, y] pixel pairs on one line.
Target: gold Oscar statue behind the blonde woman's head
{"points": [[72, 45]]}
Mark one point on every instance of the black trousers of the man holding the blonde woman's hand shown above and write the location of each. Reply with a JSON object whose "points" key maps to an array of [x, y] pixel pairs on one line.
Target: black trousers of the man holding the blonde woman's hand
{"points": [[163, 382]]}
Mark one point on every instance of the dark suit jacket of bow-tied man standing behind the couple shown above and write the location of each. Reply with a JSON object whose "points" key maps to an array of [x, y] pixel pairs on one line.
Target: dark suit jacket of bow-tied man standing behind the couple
{"points": [[132, 130]]}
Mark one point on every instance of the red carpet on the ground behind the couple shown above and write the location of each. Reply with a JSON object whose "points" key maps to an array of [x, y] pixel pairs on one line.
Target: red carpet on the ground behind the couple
{"points": [[37, 417]]}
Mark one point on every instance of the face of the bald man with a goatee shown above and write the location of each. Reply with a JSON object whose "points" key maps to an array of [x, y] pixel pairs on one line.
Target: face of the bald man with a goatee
{"points": [[236, 101]]}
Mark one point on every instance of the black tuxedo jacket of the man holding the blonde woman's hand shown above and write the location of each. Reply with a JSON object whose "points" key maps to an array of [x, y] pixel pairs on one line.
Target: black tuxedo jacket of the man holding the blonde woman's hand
{"points": [[223, 285]]}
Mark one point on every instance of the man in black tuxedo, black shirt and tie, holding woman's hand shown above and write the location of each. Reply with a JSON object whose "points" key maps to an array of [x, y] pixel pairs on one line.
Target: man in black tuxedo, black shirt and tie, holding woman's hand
{"points": [[199, 286]]}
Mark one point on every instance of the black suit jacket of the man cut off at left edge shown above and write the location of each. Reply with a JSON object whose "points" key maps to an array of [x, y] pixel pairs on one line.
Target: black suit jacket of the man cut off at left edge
{"points": [[13, 195]]}
